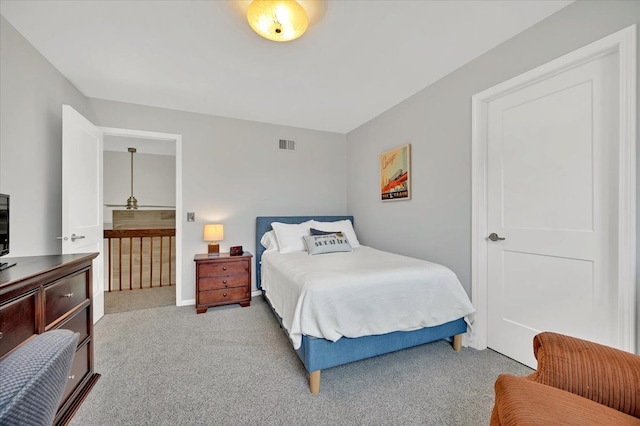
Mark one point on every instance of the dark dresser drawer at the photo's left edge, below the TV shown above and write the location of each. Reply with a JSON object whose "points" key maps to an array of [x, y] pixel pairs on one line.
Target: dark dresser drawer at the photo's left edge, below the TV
{"points": [[17, 322]]}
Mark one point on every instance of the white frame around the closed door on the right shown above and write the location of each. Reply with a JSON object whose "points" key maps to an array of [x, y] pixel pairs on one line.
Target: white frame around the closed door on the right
{"points": [[624, 43]]}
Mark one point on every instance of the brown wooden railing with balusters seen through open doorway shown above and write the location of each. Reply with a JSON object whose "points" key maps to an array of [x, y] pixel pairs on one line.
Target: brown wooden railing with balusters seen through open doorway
{"points": [[145, 239]]}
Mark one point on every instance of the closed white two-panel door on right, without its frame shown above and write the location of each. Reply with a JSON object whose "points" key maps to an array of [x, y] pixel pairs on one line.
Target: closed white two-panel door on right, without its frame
{"points": [[552, 195]]}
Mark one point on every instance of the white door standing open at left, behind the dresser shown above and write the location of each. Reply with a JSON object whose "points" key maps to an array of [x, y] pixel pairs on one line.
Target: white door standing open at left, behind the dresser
{"points": [[82, 226]]}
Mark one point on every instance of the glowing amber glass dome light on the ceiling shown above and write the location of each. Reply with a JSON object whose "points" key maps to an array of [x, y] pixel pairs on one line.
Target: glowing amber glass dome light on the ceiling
{"points": [[277, 20]]}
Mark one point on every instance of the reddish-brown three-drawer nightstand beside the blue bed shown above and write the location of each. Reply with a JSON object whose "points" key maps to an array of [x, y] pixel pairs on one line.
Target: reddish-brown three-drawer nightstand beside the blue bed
{"points": [[222, 280]]}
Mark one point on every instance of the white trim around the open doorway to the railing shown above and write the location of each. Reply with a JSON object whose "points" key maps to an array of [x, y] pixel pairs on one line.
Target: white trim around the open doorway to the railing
{"points": [[112, 131]]}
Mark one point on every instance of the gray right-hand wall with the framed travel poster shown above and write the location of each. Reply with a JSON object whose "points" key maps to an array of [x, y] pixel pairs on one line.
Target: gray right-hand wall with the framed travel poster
{"points": [[436, 223]]}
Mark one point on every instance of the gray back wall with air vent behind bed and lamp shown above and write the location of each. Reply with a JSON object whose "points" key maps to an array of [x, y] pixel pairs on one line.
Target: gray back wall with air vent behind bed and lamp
{"points": [[234, 171]]}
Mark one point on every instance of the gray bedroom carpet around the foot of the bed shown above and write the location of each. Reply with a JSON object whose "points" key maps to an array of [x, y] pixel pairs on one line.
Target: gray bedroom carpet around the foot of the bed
{"points": [[234, 366]]}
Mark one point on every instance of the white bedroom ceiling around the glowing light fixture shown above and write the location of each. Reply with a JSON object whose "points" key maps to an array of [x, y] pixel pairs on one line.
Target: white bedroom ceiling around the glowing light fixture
{"points": [[357, 59]]}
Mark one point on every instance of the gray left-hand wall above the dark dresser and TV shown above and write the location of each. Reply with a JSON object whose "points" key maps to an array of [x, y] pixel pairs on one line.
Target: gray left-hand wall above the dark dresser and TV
{"points": [[32, 92]]}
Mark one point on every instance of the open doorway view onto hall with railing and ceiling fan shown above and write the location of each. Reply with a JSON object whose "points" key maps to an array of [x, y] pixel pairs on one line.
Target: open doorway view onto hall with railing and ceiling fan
{"points": [[139, 190]]}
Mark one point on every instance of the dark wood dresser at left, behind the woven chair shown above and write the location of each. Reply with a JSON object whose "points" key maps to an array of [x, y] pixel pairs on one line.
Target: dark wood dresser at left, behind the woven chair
{"points": [[42, 293]]}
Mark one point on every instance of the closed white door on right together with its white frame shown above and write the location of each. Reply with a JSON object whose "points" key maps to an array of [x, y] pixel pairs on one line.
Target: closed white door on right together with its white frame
{"points": [[567, 211]]}
